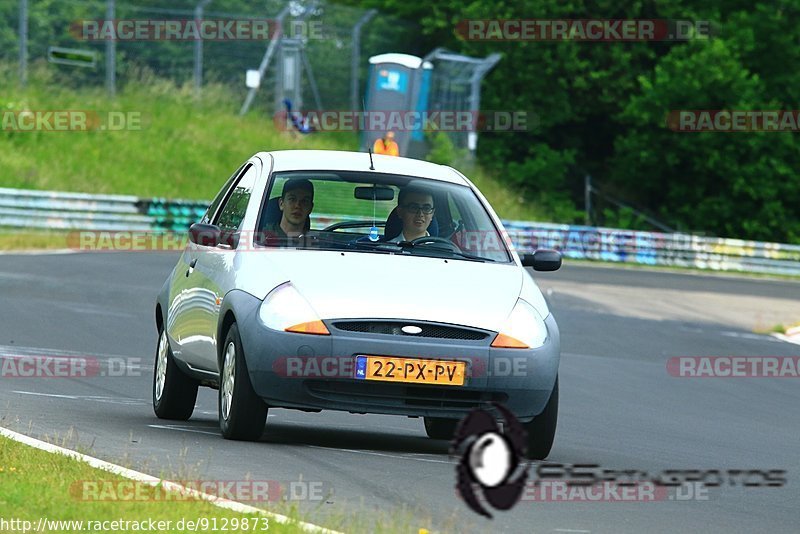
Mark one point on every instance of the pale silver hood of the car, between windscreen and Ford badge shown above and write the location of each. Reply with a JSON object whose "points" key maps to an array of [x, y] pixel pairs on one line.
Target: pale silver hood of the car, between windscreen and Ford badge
{"points": [[366, 285]]}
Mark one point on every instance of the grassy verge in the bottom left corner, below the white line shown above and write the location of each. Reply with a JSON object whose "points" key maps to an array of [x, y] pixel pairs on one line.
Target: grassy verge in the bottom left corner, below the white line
{"points": [[37, 484]]}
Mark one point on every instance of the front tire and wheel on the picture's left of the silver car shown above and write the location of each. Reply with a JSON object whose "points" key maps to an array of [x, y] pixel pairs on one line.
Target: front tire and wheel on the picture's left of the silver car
{"points": [[242, 413]]}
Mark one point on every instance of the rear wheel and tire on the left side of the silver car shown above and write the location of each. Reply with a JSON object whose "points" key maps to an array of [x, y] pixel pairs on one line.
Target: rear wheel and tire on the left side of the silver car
{"points": [[174, 393]]}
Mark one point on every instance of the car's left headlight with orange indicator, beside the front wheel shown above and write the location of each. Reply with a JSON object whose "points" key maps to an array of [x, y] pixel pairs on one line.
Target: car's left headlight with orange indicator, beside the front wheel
{"points": [[286, 309]]}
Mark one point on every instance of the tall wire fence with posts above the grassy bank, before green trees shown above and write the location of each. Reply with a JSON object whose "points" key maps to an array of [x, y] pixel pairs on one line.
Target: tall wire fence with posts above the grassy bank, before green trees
{"points": [[70, 39]]}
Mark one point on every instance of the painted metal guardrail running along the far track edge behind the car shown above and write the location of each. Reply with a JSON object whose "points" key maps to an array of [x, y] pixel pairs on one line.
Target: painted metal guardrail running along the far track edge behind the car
{"points": [[79, 211]]}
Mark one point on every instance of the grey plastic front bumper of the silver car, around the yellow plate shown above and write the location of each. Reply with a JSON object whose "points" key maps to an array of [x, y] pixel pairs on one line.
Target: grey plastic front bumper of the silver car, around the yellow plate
{"points": [[312, 372]]}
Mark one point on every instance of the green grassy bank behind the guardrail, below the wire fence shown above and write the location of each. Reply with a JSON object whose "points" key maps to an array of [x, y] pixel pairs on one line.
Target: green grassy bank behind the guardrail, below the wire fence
{"points": [[187, 146]]}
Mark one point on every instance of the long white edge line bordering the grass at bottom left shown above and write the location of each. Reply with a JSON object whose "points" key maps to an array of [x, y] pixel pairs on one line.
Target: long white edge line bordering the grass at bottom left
{"points": [[155, 481]]}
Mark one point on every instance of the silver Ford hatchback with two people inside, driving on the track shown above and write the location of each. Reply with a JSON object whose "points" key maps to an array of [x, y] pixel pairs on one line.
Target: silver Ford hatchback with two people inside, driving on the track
{"points": [[355, 282]]}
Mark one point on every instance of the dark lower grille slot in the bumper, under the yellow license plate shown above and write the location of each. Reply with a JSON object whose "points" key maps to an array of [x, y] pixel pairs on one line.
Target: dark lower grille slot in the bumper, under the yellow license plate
{"points": [[403, 395]]}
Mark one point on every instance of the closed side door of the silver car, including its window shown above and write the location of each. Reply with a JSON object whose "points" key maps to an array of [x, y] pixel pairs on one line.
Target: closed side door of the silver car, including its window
{"points": [[212, 270]]}
